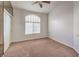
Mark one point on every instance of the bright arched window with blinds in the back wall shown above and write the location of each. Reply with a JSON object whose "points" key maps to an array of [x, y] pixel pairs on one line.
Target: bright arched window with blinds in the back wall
{"points": [[32, 24]]}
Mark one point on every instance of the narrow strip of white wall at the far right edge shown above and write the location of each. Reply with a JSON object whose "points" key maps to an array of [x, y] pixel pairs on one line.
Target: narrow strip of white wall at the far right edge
{"points": [[76, 26]]}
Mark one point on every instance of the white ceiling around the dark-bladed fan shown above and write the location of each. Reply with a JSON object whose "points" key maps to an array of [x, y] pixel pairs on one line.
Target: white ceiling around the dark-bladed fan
{"points": [[27, 5]]}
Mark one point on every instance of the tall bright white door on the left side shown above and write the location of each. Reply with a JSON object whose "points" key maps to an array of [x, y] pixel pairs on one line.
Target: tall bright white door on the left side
{"points": [[7, 24]]}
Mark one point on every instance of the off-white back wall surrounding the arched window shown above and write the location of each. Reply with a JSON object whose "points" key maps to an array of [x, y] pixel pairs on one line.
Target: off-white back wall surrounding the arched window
{"points": [[18, 25]]}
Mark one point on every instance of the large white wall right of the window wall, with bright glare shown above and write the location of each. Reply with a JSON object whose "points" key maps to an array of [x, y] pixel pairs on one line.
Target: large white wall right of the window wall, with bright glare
{"points": [[60, 22]]}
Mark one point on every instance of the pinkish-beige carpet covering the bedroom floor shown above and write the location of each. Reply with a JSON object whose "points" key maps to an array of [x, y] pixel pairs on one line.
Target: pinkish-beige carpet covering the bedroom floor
{"points": [[44, 47]]}
